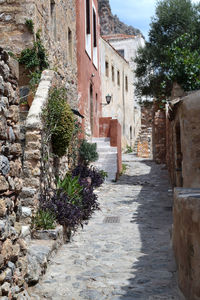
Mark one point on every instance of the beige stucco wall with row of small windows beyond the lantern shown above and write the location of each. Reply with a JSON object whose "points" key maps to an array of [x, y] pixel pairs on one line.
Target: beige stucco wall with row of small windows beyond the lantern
{"points": [[122, 103]]}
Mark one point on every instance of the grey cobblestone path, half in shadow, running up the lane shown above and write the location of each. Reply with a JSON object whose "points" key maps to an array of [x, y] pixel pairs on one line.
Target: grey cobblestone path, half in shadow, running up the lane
{"points": [[125, 260]]}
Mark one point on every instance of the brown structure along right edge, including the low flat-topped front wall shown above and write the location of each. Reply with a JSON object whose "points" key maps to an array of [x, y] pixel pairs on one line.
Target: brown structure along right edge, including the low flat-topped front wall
{"points": [[183, 162]]}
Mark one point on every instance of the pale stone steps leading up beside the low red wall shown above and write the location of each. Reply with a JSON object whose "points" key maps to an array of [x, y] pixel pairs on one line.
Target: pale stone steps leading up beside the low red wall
{"points": [[107, 157]]}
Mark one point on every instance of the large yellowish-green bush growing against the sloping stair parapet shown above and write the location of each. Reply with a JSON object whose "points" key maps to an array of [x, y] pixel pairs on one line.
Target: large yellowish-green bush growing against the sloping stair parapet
{"points": [[59, 120]]}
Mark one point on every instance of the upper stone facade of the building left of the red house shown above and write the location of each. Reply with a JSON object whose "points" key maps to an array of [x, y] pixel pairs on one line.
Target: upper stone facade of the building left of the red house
{"points": [[57, 22]]}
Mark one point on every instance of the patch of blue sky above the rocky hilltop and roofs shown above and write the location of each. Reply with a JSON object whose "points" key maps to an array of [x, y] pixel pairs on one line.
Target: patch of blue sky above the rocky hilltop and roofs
{"points": [[137, 13]]}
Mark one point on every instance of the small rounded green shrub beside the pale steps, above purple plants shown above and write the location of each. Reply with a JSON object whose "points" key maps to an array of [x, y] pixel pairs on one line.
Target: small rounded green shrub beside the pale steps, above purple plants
{"points": [[87, 152]]}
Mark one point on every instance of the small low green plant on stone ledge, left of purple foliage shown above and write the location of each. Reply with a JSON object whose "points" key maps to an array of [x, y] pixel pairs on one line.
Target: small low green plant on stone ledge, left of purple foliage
{"points": [[44, 219]]}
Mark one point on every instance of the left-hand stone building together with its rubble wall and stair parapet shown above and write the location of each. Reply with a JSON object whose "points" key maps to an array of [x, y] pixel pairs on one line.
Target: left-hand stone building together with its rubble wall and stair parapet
{"points": [[21, 134]]}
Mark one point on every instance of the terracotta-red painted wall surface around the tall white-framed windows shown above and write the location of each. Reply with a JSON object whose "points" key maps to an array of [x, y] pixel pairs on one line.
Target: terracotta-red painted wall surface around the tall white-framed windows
{"points": [[88, 74]]}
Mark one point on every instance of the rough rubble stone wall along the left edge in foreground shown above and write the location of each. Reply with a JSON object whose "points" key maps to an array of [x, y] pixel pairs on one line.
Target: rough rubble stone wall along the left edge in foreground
{"points": [[13, 249]]}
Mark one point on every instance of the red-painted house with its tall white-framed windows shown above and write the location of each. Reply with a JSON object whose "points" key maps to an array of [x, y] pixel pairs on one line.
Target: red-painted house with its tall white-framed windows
{"points": [[89, 82]]}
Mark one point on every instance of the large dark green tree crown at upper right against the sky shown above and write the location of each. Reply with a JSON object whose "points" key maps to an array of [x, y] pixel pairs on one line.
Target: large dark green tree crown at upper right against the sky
{"points": [[171, 54]]}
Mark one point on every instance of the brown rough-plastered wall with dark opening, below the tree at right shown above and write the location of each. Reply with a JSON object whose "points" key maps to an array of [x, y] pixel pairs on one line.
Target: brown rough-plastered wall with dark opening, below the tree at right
{"points": [[183, 131]]}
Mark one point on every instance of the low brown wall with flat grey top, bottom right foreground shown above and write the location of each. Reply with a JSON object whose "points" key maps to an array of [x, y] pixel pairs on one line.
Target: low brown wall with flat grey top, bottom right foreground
{"points": [[186, 240]]}
